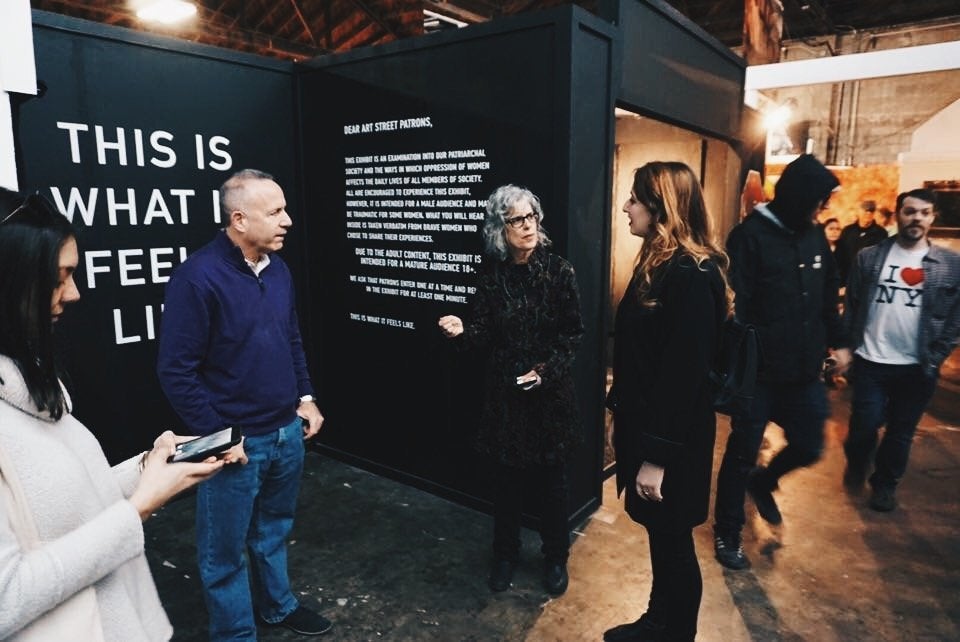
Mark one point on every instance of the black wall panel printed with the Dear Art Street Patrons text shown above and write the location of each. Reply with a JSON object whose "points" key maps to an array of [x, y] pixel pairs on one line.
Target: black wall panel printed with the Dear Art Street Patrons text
{"points": [[402, 144]]}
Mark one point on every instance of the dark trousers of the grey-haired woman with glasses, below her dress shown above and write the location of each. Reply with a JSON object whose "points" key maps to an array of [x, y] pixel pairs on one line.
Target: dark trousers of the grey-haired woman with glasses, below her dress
{"points": [[549, 484]]}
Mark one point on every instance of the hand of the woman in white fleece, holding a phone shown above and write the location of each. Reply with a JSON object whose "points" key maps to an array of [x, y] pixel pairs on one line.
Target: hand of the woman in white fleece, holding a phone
{"points": [[161, 480]]}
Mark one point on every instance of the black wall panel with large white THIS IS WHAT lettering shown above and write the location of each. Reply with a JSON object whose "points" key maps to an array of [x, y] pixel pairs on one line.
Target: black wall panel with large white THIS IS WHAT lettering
{"points": [[131, 139]]}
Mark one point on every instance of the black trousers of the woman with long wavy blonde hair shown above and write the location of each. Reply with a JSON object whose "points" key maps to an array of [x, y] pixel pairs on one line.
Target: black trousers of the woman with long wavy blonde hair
{"points": [[677, 584]]}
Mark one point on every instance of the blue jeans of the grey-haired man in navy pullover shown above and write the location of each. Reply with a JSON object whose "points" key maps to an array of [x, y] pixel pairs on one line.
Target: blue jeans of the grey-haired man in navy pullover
{"points": [[250, 509]]}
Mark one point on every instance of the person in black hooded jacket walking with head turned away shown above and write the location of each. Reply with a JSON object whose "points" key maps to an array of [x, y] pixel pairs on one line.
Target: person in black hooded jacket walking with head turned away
{"points": [[785, 281]]}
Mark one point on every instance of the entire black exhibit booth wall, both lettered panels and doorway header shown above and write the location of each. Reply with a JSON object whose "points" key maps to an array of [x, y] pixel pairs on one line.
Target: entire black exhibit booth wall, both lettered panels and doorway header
{"points": [[387, 156]]}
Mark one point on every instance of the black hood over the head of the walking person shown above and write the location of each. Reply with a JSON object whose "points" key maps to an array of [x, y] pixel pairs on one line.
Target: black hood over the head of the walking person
{"points": [[803, 185]]}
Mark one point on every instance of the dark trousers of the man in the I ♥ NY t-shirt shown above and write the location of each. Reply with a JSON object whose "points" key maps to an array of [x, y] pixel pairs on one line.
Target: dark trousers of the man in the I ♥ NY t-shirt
{"points": [[895, 395]]}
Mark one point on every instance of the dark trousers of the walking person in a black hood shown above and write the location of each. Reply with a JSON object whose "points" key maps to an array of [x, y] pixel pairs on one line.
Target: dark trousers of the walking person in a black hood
{"points": [[801, 410]]}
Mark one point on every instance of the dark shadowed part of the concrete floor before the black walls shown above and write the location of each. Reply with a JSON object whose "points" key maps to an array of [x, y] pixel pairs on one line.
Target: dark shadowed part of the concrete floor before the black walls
{"points": [[384, 561]]}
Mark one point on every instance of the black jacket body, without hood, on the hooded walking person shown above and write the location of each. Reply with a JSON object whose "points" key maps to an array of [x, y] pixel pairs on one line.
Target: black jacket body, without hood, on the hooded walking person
{"points": [[786, 285]]}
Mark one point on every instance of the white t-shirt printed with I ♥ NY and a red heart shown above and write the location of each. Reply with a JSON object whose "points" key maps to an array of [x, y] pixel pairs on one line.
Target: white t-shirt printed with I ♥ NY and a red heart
{"points": [[893, 320]]}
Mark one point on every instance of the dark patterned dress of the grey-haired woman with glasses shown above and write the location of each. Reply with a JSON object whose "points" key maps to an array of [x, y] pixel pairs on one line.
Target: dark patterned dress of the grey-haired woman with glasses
{"points": [[527, 317]]}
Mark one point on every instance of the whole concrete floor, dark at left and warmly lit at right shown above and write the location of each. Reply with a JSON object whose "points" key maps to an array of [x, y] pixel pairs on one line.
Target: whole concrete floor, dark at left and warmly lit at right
{"points": [[387, 562]]}
